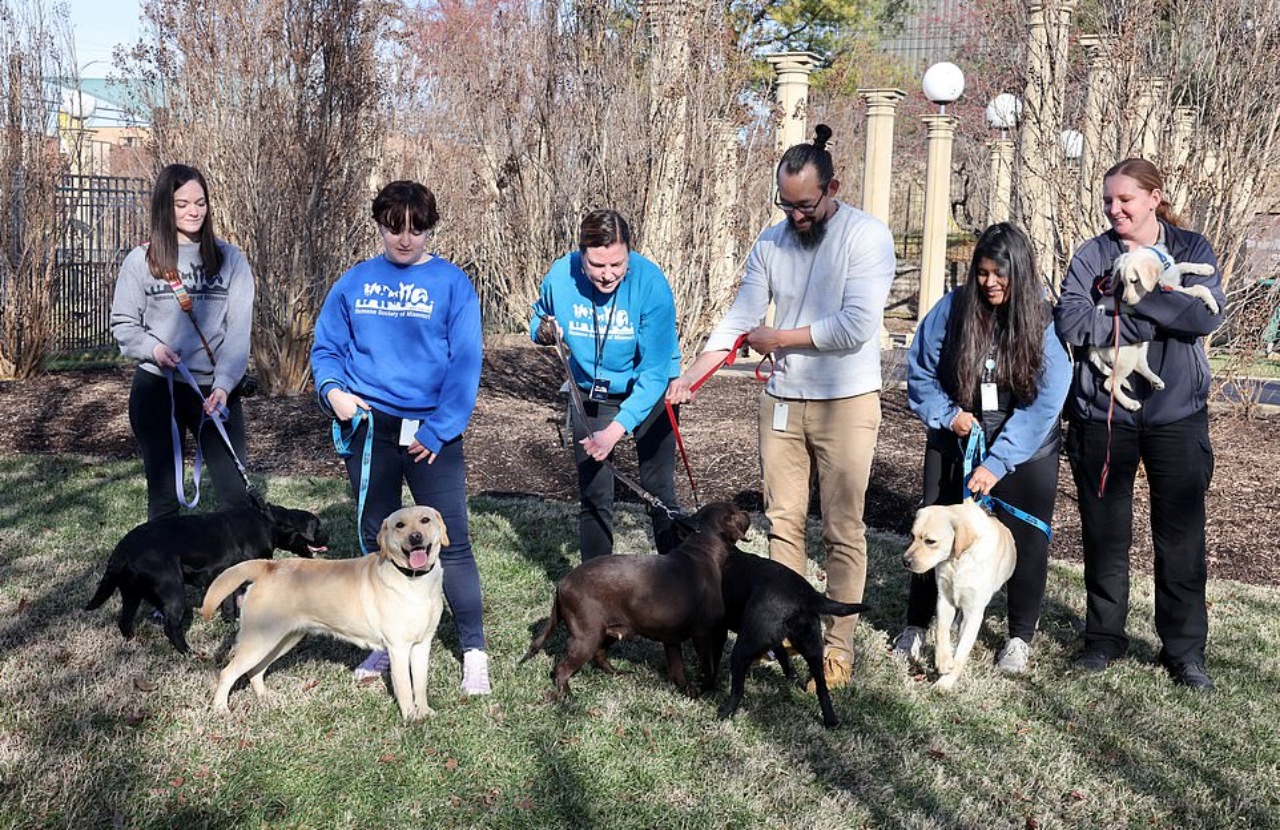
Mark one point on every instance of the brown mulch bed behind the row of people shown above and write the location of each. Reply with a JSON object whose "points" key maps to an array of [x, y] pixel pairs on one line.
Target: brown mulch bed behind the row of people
{"points": [[514, 448]]}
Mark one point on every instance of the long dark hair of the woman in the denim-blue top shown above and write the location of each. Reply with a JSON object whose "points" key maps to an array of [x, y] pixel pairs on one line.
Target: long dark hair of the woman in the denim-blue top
{"points": [[1017, 327]]}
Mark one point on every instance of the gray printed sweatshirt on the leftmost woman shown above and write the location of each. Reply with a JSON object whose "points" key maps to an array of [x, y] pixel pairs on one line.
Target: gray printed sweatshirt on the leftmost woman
{"points": [[145, 312]]}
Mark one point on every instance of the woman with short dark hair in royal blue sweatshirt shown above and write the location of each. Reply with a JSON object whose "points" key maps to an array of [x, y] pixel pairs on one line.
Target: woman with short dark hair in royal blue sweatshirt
{"points": [[399, 352]]}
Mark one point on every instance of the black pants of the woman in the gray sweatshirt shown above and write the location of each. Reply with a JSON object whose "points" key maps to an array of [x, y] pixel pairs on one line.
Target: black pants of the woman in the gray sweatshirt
{"points": [[149, 417]]}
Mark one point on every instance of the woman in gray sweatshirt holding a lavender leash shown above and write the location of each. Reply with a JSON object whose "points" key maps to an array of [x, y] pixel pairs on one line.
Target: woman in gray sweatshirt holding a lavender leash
{"points": [[185, 297]]}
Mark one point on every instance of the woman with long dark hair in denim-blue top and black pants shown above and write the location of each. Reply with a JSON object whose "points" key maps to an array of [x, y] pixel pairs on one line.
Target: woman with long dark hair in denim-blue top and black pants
{"points": [[986, 358]]}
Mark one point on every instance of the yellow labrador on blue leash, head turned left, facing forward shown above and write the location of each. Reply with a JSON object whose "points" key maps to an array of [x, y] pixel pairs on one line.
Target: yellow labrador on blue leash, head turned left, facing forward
{"points": [[975, 557]]}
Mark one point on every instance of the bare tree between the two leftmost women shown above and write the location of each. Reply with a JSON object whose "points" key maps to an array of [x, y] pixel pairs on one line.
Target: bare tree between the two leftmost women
{"points": [[278, 103]]}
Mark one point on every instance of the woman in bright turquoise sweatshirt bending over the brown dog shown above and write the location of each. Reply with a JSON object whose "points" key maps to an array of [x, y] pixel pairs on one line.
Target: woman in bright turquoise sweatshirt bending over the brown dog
{"points": [[618, 317]]}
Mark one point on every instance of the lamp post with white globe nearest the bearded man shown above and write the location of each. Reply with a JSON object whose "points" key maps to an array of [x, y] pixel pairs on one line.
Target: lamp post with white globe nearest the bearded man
{"points": [[943, 84]]}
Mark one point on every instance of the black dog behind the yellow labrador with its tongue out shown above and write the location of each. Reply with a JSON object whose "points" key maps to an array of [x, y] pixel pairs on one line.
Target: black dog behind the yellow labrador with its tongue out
{"points": [[156, 560]]}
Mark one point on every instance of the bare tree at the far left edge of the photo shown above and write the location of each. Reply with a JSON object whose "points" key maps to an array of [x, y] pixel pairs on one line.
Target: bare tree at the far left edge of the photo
{"points": [[35, 48]]}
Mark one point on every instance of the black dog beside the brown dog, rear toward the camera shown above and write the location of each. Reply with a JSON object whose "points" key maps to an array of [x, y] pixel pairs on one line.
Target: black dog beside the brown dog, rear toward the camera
{"points": [[767, 603]]}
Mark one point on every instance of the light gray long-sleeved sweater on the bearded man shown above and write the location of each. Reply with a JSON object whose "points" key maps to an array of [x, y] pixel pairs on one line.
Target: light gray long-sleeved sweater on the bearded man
{"points": [[838, 289]]}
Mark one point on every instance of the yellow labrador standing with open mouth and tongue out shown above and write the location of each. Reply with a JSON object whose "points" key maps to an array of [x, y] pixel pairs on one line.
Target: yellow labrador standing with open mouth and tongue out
{"points": [[391, 600]]}
